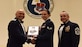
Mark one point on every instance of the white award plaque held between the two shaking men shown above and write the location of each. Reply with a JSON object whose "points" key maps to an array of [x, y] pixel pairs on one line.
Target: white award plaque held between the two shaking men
{"points": [[33, 31]]}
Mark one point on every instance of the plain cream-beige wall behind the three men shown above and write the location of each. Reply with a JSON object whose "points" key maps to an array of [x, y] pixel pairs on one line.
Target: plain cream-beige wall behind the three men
{"points": [[9, 7]]}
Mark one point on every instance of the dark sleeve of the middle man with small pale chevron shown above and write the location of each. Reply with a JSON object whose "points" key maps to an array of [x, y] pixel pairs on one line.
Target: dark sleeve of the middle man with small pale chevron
{"points": [[47, 32]]}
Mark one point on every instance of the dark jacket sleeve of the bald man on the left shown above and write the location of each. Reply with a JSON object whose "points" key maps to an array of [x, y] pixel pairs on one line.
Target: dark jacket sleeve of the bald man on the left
{"points": [[15, 31]]}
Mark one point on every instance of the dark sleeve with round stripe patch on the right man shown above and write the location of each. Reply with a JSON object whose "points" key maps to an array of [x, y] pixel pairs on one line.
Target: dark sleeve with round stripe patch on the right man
{"points": [[75, 35]]}
